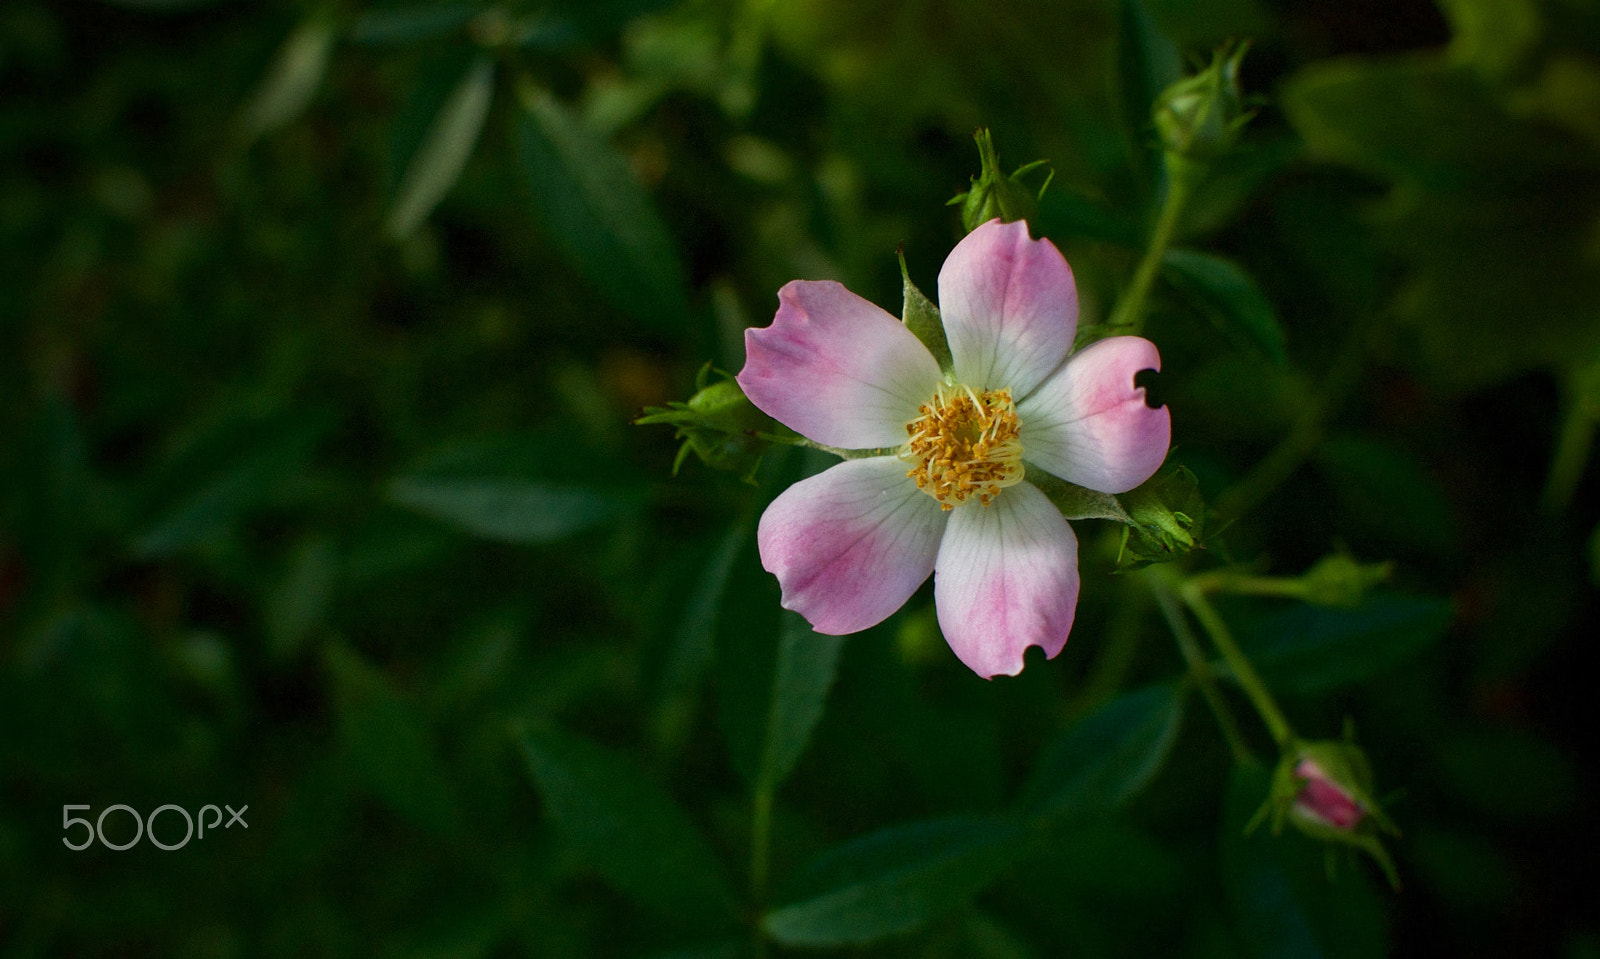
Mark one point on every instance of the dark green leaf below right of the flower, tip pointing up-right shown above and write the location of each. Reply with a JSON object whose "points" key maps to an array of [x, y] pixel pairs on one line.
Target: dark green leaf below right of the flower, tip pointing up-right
{"points": [[1105, 758]]}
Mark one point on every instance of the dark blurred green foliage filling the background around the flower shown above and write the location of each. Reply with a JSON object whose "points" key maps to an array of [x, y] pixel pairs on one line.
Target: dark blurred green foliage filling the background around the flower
{"points": [[324, 327]]}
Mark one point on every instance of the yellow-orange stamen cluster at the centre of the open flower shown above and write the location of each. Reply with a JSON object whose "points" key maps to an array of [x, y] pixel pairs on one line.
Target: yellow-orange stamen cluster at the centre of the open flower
{"points": [[964, 444]]}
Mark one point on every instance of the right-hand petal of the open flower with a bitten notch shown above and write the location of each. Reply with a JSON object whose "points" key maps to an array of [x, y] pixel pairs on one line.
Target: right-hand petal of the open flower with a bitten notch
{"points": [[1089, 423]]}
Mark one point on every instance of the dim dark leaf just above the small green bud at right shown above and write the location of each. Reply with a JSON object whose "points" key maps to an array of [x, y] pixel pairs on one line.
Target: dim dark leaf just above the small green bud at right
{"points": [[1388, 492]]}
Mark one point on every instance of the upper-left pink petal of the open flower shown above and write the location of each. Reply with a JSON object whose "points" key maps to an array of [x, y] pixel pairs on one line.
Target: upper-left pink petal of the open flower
{"points": [[838, 369]]}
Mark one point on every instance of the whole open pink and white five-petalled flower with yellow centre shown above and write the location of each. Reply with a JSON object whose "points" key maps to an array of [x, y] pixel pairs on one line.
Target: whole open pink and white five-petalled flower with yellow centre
{"points": [[948, 492]]}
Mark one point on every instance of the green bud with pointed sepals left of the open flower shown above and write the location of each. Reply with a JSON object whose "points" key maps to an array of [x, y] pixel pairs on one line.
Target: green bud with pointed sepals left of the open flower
{"points": [[719, 425]]}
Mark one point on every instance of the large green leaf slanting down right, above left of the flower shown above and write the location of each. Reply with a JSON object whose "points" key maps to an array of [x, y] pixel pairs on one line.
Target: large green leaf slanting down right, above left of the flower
{"points": [[591, 207]]}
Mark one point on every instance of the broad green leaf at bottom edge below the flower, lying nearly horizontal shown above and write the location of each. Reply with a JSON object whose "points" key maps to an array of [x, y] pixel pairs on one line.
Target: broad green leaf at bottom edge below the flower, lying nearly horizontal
{"points": [[894, 881]]}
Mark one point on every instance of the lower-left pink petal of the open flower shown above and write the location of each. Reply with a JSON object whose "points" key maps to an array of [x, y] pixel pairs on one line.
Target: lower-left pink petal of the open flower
{"points": [[850, 545]]}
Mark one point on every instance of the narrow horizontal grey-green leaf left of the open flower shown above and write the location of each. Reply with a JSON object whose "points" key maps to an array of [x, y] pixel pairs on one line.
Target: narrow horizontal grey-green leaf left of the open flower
{"points": [[513, 510]]}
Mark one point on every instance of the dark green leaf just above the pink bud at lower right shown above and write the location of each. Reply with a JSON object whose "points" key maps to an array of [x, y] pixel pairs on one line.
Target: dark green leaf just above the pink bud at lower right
{"points": [[1308, 649]]}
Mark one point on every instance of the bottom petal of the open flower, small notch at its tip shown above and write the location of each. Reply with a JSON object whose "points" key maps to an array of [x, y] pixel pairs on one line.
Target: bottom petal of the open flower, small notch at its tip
{"points": [[1007, 579]]}
